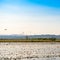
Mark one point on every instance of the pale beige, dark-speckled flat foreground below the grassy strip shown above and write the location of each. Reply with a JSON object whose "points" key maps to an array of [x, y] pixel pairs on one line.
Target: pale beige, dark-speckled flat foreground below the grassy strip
{"points": [[30, 51]]}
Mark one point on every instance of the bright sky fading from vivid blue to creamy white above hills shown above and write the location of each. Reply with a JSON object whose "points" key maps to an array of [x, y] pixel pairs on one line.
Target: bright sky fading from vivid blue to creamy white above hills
{"points": [[30, 16]]}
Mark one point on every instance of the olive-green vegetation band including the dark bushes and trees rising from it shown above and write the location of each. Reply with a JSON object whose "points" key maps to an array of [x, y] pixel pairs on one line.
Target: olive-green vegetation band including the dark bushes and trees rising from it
{"points": [[31, 40]]}
